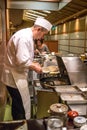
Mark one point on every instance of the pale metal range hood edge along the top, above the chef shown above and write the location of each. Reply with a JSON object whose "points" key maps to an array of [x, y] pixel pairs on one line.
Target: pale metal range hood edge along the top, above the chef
{"points": [[37, 5]]}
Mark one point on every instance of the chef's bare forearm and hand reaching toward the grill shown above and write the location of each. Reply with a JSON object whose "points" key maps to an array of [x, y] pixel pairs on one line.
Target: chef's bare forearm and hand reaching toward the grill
{"points": [[36, 67]]}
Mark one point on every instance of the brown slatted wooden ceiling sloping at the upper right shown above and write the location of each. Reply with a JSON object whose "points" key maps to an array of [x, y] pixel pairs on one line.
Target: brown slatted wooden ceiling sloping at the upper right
{"points": [[74, 9]]}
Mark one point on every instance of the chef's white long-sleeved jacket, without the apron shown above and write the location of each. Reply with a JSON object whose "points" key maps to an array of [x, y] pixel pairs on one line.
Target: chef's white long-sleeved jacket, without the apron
{"points": [[20, 53]]}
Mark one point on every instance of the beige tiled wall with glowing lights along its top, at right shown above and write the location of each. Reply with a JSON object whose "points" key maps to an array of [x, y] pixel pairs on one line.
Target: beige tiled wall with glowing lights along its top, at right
{"points": [[71, 36]]}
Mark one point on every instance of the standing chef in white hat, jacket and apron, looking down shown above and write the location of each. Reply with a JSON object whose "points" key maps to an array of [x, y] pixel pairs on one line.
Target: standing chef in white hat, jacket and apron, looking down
{"points": [[18, 61]]}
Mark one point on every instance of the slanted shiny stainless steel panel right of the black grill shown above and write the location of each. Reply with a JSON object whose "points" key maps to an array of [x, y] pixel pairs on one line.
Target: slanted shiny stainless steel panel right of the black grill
{"points": [[76, 69]]}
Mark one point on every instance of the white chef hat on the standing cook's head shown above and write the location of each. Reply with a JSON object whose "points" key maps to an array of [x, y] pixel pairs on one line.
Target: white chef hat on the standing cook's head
{"points": [[43, 23]]}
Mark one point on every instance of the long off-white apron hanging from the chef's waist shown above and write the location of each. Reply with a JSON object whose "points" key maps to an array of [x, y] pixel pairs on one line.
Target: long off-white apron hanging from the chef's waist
{"points": [[22, 85]]}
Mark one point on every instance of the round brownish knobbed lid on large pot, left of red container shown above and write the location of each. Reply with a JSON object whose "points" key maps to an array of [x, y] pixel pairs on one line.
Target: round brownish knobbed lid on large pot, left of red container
{"points": [[58, 108]]}
